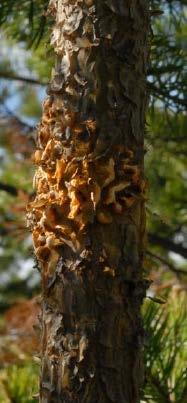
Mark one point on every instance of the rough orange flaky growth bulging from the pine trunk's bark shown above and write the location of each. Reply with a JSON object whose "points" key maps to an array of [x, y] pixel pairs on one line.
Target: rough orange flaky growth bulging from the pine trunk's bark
{"points": [[72, 190]]}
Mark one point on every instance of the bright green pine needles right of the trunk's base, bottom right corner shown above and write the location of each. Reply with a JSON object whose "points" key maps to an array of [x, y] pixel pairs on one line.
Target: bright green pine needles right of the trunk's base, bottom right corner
{"points": [[166, 351]]}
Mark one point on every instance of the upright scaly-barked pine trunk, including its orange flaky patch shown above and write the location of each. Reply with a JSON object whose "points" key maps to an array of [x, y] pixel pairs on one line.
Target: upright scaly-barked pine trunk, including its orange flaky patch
{"points": [[88, 218]]}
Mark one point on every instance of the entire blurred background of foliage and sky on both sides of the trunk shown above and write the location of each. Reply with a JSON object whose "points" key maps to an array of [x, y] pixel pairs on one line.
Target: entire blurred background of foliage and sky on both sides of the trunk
{"points": [[26, 60]]}
